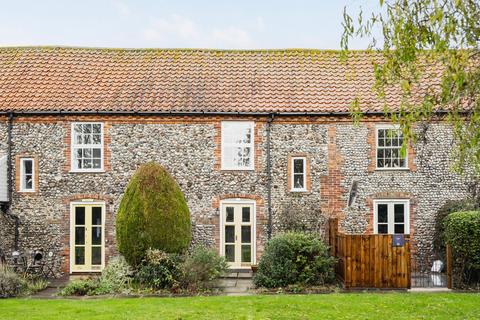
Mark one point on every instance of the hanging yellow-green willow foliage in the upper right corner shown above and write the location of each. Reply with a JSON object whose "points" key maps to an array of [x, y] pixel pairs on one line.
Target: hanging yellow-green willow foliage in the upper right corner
{"points": [[429, 51]]}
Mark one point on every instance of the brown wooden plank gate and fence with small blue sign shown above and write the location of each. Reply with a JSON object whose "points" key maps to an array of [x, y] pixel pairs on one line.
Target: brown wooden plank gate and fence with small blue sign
{"points": [[370, 261]]}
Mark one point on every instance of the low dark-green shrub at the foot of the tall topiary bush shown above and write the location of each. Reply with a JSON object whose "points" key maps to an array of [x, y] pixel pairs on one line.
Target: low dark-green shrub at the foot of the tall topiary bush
{"points": [[159, 270]]}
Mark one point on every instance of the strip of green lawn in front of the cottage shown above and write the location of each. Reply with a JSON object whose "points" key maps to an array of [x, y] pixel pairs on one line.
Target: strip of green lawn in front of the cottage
{"points": [[327, 306]]}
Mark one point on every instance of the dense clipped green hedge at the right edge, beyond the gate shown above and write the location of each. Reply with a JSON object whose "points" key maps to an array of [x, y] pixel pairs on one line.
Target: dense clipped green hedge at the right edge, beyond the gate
{"points": [[462, 232]]}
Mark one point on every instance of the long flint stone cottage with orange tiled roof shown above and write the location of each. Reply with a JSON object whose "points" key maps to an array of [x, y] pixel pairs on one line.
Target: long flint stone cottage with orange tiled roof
{"points": [[259, 142]]}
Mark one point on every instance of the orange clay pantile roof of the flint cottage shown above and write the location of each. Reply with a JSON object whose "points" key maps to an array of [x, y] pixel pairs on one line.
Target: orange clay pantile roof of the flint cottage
{"points": [[183, 80]]}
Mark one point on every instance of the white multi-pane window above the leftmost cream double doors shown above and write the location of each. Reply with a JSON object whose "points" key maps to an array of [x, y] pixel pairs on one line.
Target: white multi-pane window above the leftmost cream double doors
{"points": [[87, 147]]}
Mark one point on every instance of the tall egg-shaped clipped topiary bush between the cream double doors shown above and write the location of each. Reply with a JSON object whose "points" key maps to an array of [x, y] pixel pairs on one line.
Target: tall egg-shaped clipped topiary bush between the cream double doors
{"points": [[153, 214]]}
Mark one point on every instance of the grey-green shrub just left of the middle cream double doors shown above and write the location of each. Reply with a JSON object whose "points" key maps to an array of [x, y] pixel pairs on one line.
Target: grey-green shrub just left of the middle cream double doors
{"points": [[202, 266]]}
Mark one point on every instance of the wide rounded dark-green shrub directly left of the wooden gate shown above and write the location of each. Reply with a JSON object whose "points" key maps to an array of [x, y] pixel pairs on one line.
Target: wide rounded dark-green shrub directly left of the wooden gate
{"points": [[294, 259]]}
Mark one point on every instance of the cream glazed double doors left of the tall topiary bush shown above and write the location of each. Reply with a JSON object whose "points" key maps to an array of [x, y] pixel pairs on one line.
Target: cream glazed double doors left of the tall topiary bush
{"points": [[87, 238]]}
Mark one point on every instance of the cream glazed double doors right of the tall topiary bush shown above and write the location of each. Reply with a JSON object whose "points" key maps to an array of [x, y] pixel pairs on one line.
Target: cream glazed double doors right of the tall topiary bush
{"points": [[238, 235]]}
